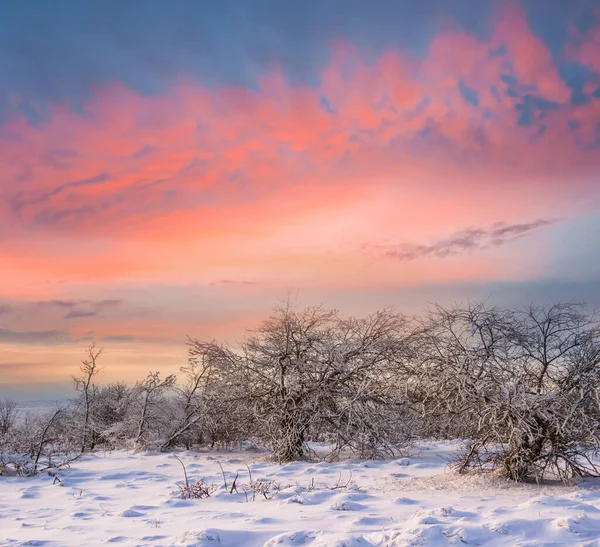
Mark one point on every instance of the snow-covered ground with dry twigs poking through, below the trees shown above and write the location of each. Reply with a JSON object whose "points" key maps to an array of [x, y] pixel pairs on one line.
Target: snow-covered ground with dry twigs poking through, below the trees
{"points": [[133, 499]]}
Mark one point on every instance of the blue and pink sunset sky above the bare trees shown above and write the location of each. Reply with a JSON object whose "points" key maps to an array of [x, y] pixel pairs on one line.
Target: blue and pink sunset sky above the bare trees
{"points": [[177, 168]]}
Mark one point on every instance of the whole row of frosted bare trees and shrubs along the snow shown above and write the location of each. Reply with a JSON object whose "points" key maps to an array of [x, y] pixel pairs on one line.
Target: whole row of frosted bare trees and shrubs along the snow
{"points": [[520, 387]]}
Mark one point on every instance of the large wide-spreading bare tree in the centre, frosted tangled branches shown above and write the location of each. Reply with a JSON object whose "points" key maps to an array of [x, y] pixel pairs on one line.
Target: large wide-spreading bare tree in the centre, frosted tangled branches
{"points": [[306, 370]]}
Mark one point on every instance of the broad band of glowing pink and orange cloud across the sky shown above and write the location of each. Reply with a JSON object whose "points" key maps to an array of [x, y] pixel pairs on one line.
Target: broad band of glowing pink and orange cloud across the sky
{"points": [[289, 181]]}
